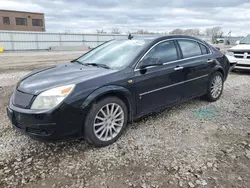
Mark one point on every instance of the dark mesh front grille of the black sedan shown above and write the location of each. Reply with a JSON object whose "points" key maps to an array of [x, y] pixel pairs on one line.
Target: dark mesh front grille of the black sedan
{"points": [[21, 99]]}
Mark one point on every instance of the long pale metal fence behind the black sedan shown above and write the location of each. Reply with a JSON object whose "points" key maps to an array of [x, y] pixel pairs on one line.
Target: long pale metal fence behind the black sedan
{"points": [[24, 41]]}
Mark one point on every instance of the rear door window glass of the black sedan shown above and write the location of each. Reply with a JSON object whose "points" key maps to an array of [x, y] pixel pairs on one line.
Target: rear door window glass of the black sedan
{"points": [[189, 48]]}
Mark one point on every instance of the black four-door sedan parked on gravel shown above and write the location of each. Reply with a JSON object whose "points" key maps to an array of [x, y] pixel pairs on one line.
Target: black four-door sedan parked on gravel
{"points": [[95, 96]]}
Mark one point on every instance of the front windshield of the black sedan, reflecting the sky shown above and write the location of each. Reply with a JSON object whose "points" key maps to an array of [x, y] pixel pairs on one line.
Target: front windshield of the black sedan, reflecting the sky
{"points": [[114, 54]]}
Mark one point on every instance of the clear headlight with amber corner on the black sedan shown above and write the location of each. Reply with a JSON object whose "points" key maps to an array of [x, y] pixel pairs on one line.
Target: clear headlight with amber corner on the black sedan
{"points": [[51, 98]]}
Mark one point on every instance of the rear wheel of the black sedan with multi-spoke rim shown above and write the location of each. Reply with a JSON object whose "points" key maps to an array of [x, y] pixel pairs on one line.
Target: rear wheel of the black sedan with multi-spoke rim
{"points": [[214, 96]]}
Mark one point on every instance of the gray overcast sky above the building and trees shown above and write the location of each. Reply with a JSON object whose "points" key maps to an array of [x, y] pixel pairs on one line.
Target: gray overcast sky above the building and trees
{"points": [[153, 15]]}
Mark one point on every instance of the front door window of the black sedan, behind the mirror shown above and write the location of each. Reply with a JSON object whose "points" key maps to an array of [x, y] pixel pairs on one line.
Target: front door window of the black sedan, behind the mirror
{"points": [[165, 51]]}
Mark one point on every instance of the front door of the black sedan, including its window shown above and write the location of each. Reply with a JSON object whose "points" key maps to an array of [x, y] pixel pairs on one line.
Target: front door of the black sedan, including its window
{"points": [[157, 86]]}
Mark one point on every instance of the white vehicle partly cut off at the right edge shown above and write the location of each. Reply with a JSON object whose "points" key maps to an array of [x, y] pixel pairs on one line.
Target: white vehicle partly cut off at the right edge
{"points": [[240, 54]]}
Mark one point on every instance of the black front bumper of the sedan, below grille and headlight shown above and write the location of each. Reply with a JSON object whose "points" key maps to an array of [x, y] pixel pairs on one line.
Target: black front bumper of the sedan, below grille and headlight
{"points": [[64, 122]]}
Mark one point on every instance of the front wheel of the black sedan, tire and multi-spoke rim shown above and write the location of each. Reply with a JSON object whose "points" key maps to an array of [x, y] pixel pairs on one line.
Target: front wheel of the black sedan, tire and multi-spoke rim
{"points": [[96, 134]]}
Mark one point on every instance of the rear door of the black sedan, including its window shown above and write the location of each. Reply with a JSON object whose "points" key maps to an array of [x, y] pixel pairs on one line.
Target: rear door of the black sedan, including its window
{"points": [[196, 66]]}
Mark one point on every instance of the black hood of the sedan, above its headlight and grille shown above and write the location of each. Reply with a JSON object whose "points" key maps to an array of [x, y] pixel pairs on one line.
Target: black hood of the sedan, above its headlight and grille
{"points": [[68, 73]]}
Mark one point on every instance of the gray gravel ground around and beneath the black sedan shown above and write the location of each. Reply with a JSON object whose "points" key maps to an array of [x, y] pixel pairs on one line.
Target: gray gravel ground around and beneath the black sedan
{"points": [[194, 144]]}
